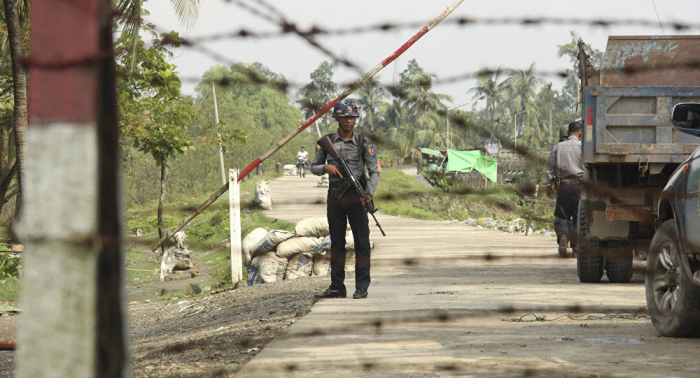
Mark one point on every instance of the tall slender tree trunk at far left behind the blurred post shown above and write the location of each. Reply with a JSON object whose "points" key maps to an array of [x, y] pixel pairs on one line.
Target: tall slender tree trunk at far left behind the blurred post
{"points": [[19, 84]]}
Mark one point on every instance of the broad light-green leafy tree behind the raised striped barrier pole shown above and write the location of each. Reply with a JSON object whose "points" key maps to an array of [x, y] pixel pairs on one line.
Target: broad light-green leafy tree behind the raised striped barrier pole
{"points": [[251, 108]]}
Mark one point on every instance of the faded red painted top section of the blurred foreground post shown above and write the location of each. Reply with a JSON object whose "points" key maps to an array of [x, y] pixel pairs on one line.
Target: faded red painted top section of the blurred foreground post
{"points": [[69, 93]]}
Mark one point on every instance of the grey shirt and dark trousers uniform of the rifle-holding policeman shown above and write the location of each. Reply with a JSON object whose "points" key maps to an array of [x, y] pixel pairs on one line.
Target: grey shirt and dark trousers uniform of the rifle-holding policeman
{"points": [[344, 206]]}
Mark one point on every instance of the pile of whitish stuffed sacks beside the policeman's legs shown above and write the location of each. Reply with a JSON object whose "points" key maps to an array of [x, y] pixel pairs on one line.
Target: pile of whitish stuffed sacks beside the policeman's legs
{"points": [[276, 255]]}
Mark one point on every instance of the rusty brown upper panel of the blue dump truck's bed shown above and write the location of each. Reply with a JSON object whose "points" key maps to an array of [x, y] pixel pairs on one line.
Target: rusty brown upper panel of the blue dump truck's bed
{"points": [[653, 61]]}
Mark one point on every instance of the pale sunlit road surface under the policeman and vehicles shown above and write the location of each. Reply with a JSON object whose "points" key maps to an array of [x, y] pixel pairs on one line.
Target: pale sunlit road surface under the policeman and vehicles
{"points": [[443, 302]]}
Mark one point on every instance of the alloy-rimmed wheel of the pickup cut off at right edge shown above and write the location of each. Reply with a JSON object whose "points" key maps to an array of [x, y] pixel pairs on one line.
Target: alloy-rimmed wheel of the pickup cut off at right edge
{"points": [[672, 298]]}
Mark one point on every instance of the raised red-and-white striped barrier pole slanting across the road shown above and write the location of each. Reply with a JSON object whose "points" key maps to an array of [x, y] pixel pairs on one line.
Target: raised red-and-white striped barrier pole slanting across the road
{"points": [[313, 119]]}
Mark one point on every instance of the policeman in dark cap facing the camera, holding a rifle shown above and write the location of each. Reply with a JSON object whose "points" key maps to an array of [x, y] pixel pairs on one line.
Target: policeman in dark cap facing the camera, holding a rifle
{"points": [[344, 204]]}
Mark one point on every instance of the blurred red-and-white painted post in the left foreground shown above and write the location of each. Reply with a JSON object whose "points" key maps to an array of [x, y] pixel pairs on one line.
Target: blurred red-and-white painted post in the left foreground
{"points": [[73, 320]]}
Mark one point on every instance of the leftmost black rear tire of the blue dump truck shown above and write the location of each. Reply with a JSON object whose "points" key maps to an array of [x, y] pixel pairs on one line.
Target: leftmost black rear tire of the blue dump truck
{"points": [[589, 260]]}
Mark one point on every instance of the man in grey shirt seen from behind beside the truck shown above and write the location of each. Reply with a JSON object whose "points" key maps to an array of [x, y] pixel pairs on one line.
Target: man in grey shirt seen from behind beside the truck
{"points": [[564, 168]]}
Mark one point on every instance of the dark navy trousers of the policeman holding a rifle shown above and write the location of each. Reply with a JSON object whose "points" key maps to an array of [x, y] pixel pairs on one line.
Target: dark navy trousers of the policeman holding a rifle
{"points": [[348, 208]]}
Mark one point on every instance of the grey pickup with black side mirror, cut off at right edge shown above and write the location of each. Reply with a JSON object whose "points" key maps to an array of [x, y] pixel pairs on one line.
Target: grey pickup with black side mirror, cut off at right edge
{"points": [[673, 265]]}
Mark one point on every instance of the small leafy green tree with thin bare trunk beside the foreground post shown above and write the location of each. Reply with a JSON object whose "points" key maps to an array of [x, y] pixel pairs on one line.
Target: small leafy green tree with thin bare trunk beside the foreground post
{"points": [[153, 113]]}
